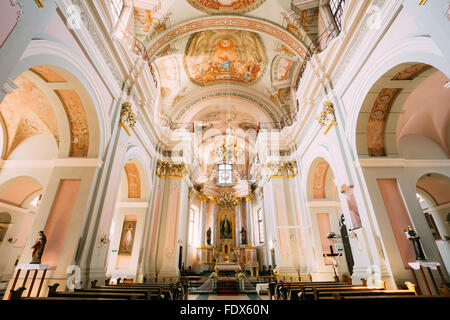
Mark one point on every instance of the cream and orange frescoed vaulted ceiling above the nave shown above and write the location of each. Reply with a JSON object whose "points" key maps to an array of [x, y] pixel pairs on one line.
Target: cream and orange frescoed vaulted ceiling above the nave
{"points": [[250, 50]]}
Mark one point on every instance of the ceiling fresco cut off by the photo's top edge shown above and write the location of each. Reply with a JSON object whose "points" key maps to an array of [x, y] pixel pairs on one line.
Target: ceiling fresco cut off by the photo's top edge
{"points": [[226, 6]]}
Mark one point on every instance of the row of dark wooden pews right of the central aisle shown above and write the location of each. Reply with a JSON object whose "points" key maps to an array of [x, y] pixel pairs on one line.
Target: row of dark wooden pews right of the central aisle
{"points": [[332, 290]]}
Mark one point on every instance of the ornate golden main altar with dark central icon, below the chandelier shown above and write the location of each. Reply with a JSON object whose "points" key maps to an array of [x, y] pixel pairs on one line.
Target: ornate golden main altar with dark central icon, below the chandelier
{"points": [[227, 243]]}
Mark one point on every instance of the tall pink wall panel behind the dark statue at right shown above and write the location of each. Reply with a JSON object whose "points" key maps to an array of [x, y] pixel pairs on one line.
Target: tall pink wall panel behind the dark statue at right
{"points": [[398, 216]]}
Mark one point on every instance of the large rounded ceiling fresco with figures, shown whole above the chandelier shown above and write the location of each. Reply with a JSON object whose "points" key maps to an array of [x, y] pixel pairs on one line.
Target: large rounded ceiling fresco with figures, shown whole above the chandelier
{"points": [[225, 55]]}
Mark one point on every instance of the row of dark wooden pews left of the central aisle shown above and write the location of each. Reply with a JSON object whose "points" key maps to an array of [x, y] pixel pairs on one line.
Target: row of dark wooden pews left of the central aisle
{"points": [[119, 291]]}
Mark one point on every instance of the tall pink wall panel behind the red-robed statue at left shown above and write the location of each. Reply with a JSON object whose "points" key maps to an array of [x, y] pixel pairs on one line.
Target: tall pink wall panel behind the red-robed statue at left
{"points": [[59, 220]]}
